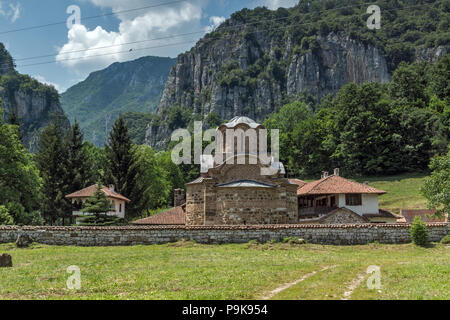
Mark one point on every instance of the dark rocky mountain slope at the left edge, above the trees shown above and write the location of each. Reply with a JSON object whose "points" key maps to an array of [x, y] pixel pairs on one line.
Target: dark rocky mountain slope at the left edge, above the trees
{"points": [[30, 102]]}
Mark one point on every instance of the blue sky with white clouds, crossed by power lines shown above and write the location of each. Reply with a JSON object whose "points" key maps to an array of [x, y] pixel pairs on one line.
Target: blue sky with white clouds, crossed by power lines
{"points": [[106, 38]]}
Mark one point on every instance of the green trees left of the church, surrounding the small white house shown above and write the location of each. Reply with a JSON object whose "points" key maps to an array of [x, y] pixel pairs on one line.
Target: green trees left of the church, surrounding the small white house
{"points": [[34, 186]]}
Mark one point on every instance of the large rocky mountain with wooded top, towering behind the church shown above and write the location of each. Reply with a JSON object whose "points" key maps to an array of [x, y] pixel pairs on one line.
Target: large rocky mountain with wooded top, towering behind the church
{"points": [[259, 60]]}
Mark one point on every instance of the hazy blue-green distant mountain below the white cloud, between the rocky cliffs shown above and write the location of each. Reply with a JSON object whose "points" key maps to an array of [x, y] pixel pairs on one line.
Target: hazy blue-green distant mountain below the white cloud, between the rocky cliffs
{"points": [[134, 86]]}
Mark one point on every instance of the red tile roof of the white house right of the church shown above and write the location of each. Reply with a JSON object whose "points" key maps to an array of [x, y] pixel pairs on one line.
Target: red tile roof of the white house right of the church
{"points": [[336, 185]]}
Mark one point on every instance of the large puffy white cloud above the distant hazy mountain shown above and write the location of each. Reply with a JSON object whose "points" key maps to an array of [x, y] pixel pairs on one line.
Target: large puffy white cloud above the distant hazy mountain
{"points": [[150, 23]]}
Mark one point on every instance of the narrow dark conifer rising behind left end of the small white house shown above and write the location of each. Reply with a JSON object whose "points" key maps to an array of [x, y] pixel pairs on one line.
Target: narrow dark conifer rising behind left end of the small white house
{"points": [[78, 175]]}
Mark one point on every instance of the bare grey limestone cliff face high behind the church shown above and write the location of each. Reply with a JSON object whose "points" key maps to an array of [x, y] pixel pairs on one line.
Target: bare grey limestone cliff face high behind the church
{"points": [[197, 82]]}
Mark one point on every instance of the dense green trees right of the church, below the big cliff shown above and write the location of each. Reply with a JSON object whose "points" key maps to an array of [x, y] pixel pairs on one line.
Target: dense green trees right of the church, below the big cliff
{"points": [[370, 129]]}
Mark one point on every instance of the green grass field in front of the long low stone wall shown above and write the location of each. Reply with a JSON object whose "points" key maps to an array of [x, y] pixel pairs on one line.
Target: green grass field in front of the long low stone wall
{"points": [[185, 270]]}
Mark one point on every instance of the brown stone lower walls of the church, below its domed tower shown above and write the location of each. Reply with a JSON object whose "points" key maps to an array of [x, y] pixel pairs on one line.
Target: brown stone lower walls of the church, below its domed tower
{"points": [[210, 204]]}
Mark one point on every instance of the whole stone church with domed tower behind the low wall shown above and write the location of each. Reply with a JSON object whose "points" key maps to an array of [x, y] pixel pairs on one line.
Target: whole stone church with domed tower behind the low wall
{"points": [[240, 192]]}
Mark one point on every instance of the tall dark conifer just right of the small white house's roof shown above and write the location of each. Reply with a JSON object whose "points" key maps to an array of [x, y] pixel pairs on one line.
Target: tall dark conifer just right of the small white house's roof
{"points": [[122, 169]]}
